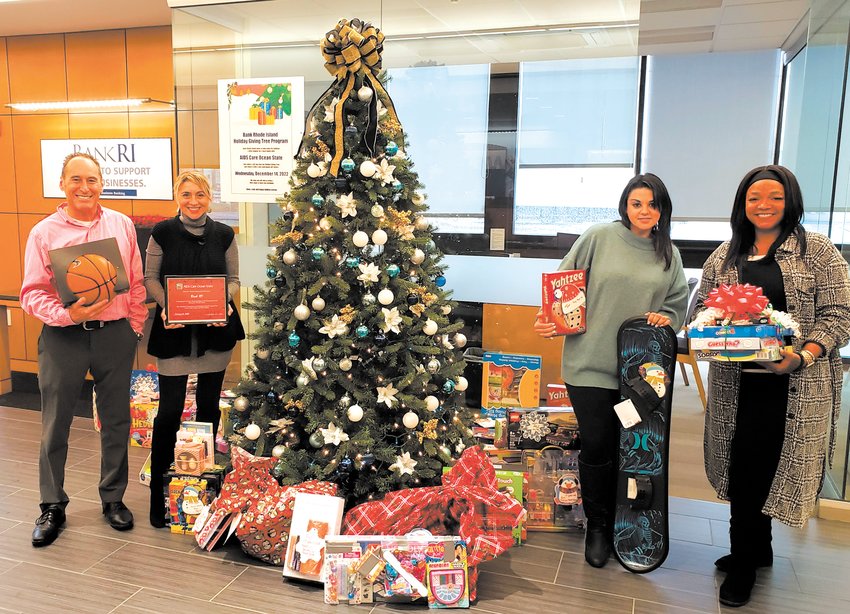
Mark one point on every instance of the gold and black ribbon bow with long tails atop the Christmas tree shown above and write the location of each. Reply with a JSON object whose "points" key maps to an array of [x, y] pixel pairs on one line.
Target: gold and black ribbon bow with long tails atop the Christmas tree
{"points": [[353, 48]]}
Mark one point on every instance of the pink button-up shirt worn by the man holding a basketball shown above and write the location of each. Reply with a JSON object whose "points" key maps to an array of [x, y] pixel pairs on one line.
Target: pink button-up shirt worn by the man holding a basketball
{"points": [[39, 296]]}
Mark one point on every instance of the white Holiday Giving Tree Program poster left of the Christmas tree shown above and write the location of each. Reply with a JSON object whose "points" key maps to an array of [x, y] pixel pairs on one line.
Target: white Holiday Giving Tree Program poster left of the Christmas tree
{"points": [[260, 123]]}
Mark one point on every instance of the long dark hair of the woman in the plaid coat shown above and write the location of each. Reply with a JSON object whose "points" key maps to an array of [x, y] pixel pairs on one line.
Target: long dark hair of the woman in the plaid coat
{"points": [[743, 231]]}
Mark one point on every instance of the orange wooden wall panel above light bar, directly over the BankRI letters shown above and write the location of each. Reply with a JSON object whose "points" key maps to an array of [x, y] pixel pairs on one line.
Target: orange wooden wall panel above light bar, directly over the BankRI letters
{"points": [[96, 63]]}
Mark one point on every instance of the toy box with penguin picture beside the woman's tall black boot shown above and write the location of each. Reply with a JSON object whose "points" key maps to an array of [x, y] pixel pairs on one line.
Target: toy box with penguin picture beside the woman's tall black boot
{"points": [[553, 499]]}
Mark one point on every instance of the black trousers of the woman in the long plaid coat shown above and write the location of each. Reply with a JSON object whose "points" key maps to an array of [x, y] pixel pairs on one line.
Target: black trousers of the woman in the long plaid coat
{"points": [[756, 447]]}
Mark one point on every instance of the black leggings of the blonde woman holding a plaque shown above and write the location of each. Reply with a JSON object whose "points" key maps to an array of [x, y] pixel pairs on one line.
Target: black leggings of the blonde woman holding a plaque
{"points": [[172, 397]]}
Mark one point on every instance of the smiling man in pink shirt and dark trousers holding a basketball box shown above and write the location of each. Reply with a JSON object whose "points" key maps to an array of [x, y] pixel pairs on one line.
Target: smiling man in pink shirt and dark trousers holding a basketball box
{"points": [[100, 338]]}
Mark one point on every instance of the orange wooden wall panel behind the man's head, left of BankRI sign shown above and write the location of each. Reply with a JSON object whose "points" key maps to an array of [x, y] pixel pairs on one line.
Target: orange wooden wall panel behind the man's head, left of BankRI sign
{"points": [[28, 130]]}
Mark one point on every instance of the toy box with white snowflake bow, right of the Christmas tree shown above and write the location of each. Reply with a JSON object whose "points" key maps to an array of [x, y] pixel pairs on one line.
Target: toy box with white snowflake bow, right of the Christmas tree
{"points": [[532, 429]]}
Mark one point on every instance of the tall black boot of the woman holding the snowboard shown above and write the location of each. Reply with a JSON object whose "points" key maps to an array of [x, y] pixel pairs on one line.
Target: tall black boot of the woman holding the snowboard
{"points": [[597, 494]]}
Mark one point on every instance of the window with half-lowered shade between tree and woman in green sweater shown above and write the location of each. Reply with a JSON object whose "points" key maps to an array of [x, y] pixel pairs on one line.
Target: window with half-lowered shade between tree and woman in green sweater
{"points": [[576, 139]]}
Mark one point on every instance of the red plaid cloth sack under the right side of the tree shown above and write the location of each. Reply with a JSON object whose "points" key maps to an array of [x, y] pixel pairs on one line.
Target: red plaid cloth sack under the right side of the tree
{"points": [[468, 504]]}
